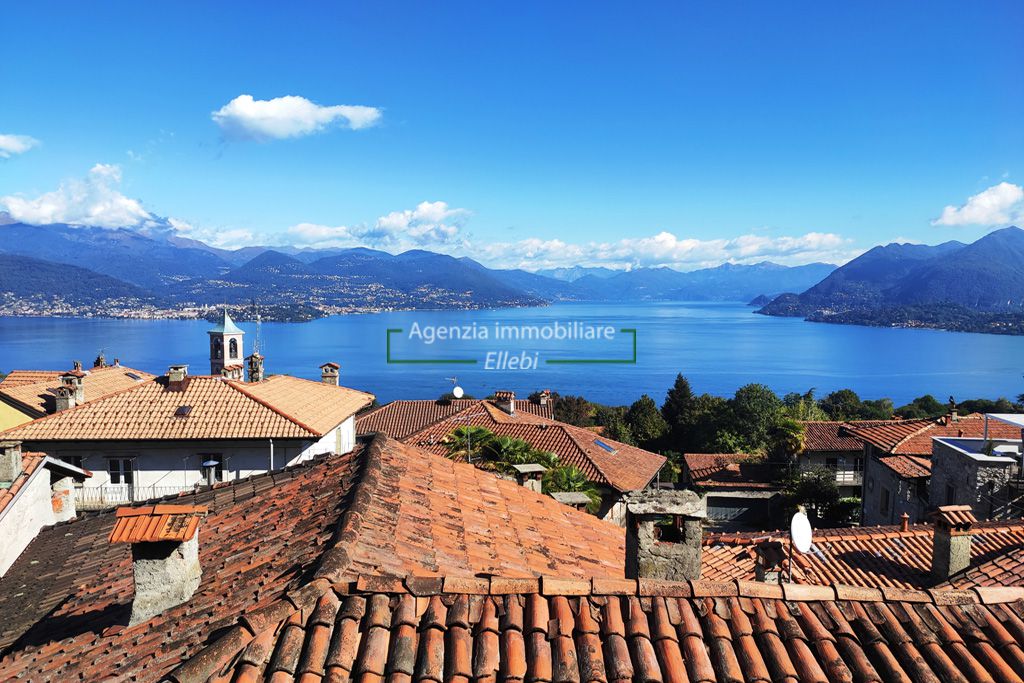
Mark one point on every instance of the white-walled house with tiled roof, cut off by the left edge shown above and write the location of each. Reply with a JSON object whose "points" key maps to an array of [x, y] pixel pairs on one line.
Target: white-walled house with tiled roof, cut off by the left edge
{"points": [[36, 491]]}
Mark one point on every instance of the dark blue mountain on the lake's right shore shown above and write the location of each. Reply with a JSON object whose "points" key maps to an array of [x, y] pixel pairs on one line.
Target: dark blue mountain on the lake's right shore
{"points": [[948, 286]]}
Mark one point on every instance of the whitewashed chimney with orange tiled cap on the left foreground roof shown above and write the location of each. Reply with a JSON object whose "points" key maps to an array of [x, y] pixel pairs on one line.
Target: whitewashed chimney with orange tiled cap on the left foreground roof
{"points": [[165, 556]]}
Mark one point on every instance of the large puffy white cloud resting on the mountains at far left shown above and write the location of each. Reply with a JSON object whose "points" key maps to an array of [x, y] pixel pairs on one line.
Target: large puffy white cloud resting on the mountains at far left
{"points": [[93, 201]]}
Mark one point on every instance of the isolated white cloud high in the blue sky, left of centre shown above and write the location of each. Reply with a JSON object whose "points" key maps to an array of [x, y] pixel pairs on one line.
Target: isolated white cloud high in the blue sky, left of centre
{"points": [[288, 117]]}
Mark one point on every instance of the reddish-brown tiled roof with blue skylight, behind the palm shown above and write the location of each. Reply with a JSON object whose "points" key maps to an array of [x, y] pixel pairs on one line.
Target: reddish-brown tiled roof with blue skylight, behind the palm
{"points": [[602, 460]]}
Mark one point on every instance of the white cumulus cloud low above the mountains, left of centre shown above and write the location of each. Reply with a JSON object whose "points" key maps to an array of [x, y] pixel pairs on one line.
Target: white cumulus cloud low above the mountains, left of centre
{"points": [[431, 225]]}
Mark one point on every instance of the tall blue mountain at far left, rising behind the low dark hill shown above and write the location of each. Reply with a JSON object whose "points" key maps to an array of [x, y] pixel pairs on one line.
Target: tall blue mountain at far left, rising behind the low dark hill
{"points": [[124, 254]]}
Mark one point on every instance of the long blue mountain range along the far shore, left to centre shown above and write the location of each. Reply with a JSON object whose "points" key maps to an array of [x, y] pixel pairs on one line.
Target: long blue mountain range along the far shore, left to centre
{"points": [[163, 269]]}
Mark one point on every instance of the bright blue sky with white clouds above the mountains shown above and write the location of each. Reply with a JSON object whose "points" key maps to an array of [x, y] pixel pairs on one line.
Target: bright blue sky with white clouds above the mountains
{"points": [[525, 136]]}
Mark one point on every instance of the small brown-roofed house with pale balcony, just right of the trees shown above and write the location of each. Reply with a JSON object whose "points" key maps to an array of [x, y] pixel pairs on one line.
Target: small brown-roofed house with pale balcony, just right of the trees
{"points": [[831, 444]]}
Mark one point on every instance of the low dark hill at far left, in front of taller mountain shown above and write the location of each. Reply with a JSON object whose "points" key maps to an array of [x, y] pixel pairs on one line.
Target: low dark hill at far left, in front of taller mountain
{"points": [[24, 278]]}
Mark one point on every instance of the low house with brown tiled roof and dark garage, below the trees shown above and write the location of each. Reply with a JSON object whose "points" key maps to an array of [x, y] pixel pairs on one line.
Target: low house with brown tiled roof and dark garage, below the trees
{"points": [[740, 492]]}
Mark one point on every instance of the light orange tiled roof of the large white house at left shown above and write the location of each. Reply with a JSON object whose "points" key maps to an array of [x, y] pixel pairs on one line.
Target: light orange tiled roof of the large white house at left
{"points": [[281, 407]]}
